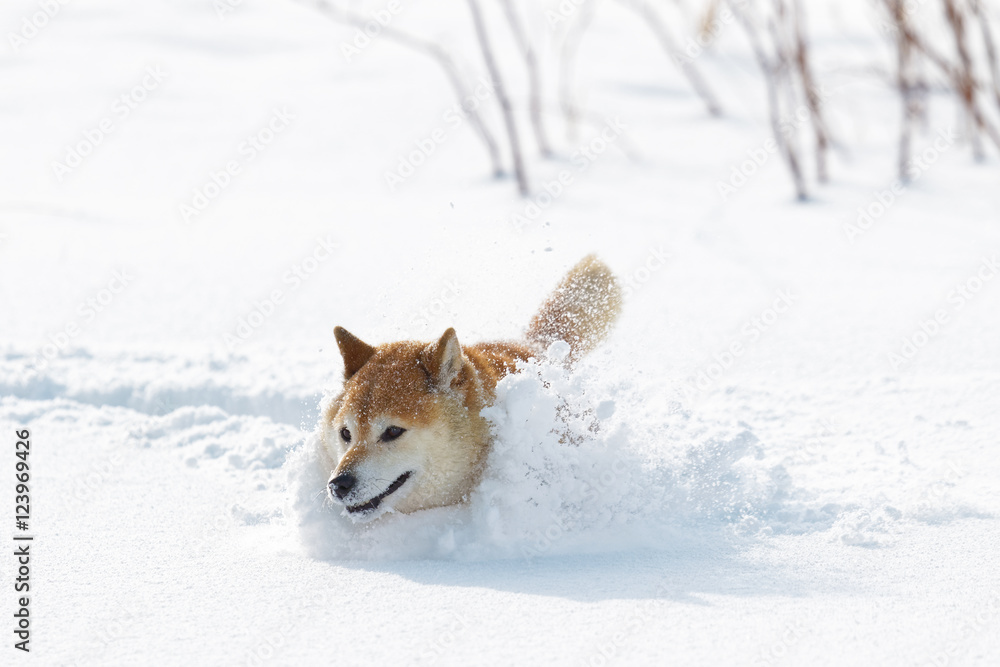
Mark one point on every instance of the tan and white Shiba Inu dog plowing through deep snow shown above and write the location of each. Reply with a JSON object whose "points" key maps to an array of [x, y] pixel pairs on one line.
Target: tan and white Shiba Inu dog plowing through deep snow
{"points": [[406, 432]]}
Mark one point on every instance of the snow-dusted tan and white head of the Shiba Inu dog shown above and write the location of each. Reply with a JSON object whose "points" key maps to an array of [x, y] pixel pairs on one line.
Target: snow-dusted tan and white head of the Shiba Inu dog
{"points": [[406, 429]]}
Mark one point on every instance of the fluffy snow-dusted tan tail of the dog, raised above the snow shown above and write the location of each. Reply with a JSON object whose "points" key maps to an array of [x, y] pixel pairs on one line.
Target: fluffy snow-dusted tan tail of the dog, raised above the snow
{"points": [[581, 311]]}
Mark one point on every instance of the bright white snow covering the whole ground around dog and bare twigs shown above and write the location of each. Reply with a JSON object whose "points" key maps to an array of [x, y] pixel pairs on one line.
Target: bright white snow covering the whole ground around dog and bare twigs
{"points": [[805, 500]]}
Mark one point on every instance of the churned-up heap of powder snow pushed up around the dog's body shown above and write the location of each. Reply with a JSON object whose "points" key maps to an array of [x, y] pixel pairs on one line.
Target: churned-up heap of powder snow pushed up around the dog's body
{"points": [[568, 473]]}
